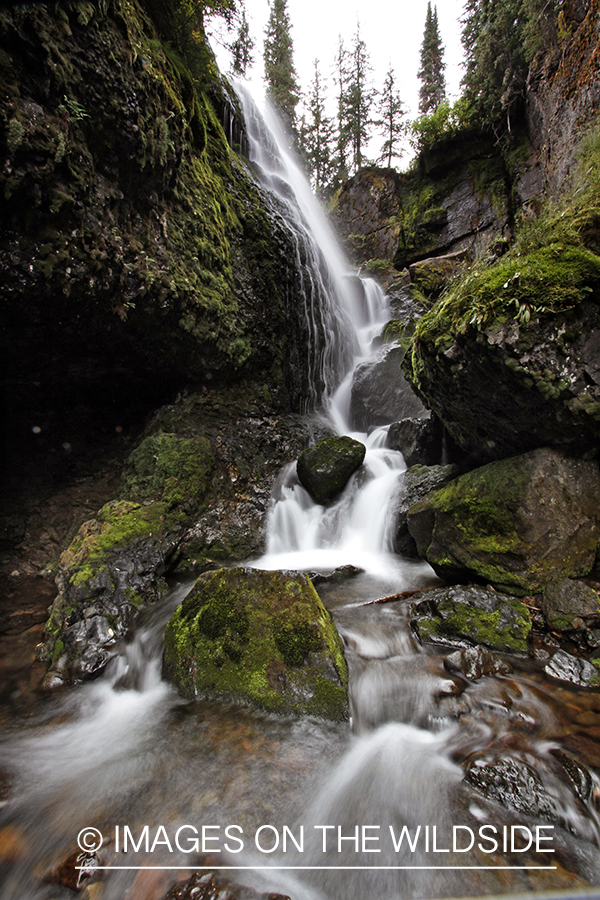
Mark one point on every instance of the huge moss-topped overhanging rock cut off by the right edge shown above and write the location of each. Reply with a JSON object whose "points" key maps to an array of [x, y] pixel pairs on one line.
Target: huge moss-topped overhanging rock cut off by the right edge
{"points": [[509, 359]]}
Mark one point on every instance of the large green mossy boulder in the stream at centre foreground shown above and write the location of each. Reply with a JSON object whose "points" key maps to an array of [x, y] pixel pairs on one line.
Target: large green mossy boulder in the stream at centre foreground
{"points": [[263, 638]]}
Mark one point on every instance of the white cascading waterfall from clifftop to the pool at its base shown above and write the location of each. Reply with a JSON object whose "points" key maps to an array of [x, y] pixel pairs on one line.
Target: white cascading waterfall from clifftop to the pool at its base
{"points": [[343, 314]]}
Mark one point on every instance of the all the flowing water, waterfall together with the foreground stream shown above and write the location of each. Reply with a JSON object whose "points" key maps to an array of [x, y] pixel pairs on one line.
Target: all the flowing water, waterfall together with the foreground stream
{"points": [[378, 808]]}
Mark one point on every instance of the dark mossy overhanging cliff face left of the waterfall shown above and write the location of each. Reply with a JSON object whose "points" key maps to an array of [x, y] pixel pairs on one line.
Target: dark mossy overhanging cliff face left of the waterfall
{"points": [[137, 255]]}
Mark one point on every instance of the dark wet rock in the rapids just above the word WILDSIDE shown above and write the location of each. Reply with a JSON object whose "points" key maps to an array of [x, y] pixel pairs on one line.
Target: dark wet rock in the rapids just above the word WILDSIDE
{"points": [[514, 784]]}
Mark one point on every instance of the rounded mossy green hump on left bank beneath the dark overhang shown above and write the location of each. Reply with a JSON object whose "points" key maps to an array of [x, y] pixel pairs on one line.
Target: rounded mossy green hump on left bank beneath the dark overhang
{"points": [[173, 469]]}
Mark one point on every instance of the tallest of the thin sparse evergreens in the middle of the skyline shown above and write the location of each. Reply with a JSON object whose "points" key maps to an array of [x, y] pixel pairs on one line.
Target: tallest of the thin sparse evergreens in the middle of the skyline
{"points": [[357, 99]]}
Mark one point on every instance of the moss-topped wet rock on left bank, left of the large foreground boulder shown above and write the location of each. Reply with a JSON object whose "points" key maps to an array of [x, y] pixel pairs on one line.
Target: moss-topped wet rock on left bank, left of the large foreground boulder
{"points": [[114, 565]]}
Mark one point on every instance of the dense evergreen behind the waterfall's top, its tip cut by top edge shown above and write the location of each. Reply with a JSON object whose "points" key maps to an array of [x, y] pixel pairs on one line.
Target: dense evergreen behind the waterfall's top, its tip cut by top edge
{"points": [[280, 73]]}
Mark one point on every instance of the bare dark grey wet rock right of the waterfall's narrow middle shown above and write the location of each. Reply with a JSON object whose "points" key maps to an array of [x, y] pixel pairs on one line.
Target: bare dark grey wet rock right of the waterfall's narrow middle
{"points": [[381, 393]]}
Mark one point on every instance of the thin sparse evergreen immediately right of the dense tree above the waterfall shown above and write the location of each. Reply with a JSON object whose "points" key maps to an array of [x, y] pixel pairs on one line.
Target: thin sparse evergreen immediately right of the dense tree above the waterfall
{"points": [[317, 136]]}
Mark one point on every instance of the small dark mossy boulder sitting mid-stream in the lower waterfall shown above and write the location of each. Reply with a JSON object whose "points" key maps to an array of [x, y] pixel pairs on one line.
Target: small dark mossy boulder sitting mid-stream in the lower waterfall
{"points": [[325, 469]]}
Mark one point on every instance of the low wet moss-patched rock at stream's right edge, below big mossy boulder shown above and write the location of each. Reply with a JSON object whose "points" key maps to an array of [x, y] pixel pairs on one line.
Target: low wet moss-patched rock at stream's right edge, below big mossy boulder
{"points": [[472, 615]]}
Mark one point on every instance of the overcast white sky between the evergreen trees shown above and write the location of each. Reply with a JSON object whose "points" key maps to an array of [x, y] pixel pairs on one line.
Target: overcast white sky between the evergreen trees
{"points": [[392, 31]]}
